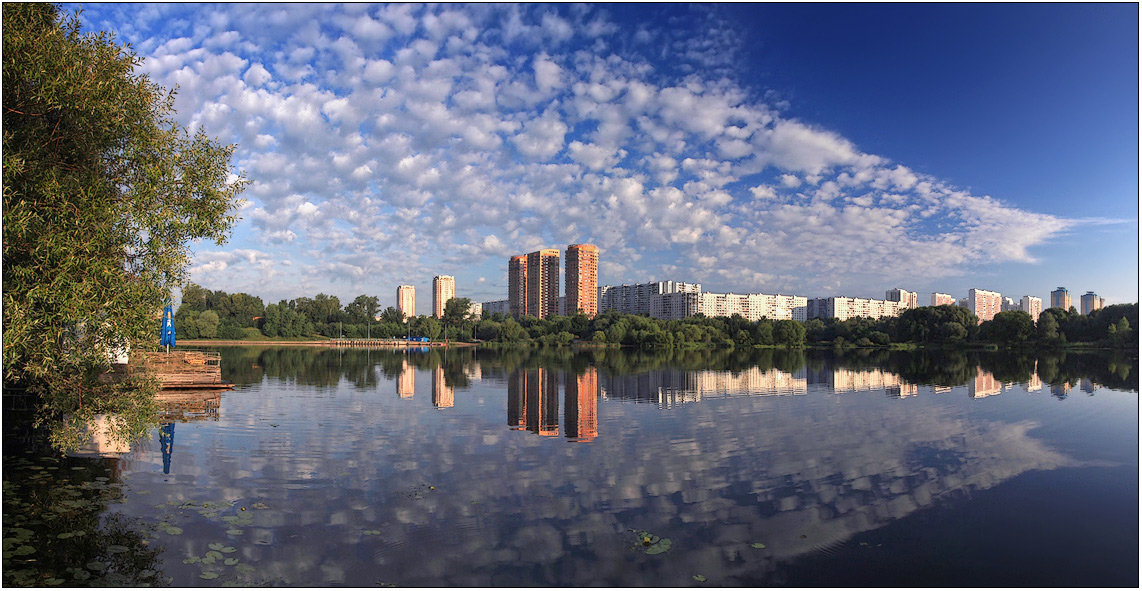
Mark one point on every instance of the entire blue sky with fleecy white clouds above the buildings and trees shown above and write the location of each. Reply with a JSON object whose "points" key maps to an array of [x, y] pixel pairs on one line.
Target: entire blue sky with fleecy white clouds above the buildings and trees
{"points": [[810, 150]]}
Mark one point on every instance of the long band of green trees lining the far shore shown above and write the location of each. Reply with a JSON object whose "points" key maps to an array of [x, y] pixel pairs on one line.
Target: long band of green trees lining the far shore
{"points": [[215, 317]]}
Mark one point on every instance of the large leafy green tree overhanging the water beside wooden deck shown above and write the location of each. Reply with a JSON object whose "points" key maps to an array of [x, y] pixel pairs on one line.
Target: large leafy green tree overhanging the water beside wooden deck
{"points": [[103, 195]]}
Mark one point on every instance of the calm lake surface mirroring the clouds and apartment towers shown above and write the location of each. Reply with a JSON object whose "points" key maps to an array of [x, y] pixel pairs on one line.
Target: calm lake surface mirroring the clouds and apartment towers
{"points": [[604, 468]]}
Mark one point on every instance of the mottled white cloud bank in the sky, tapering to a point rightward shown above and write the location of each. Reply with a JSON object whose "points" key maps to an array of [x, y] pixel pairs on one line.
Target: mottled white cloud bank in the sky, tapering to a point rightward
{"points": [[387, 144]]}
